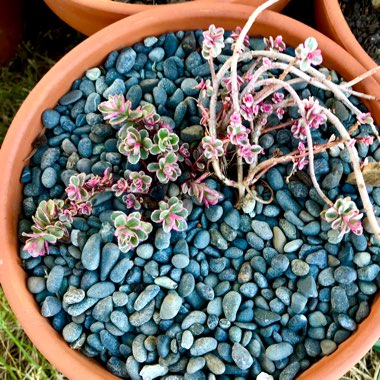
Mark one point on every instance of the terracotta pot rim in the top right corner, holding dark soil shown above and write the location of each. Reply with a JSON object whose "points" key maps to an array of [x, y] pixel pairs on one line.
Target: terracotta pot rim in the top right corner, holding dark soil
{"points": [[330, 21]]}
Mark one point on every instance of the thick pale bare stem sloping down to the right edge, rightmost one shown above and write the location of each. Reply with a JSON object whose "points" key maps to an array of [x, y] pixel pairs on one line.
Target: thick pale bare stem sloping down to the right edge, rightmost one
{"points": [[355, 162]]}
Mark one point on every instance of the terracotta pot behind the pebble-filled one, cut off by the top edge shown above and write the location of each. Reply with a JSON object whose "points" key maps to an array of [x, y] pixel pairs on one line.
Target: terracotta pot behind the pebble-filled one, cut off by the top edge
{"points": [[89, 16]]}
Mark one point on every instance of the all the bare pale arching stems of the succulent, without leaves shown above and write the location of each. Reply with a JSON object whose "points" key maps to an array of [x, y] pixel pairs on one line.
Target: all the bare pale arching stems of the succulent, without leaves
{"points": [[312, 76]]}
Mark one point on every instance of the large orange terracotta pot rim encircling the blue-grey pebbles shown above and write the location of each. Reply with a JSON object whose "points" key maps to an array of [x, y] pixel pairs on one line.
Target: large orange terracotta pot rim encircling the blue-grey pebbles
{"points": [[27, 125]]}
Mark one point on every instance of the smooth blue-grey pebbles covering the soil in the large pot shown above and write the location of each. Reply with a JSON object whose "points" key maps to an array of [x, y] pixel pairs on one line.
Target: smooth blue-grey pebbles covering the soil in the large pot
{"points": [[232, 296]]}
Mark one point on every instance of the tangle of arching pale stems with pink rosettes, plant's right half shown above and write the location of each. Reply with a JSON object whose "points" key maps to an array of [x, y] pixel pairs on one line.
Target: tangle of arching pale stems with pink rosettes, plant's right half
{"points": [[266, 91]]}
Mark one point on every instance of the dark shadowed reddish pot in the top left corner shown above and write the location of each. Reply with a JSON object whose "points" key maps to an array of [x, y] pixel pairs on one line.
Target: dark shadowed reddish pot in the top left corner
{"points": [[10, 28]]}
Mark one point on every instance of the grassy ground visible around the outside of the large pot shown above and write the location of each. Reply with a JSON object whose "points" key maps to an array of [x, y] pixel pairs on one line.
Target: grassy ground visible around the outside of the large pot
{"points": [[47, 40]]}
